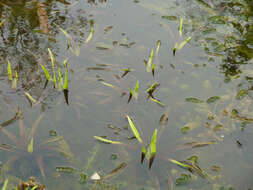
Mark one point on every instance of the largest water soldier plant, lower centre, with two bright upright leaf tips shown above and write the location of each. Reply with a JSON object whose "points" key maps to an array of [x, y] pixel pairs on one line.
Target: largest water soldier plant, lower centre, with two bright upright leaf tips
{"points": [[149, 151]]}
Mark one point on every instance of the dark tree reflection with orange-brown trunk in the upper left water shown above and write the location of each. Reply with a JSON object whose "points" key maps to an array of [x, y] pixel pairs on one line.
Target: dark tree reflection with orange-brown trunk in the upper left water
{"points": [[29, 28]]}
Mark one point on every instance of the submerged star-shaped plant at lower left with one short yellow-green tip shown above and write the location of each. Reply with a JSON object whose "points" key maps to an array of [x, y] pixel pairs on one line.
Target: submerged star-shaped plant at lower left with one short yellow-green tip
{"points": [[27, 145]]}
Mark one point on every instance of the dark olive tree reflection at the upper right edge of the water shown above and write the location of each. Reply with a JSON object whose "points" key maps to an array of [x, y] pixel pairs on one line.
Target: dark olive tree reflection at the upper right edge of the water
{"points": [[242, 52]]}
